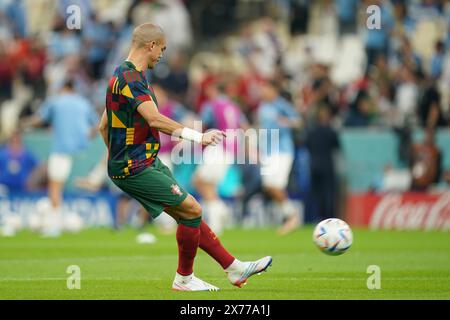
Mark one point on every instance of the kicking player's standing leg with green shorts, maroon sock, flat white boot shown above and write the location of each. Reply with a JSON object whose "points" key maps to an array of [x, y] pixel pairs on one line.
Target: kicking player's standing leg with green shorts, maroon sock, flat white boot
{"points": [[157, 190]]}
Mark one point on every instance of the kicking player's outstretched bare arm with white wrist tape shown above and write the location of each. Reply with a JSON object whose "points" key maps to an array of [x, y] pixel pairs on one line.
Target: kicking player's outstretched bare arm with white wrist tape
{"points": [[156, 120]]}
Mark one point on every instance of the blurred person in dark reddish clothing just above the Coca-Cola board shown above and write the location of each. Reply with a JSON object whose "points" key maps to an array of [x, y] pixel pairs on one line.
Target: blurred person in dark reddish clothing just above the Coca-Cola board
{"points": [[425, 163]]}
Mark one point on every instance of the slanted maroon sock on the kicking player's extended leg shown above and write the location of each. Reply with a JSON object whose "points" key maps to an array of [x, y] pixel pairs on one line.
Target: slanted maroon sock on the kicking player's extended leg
{"points": [[212, 246]]}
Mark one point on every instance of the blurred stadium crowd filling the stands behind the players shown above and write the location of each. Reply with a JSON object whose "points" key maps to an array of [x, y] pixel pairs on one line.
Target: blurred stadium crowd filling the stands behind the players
{"points": [[333, 70]]}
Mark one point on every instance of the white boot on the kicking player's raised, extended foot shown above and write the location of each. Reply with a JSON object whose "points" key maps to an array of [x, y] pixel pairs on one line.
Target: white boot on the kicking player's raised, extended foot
{"points": [[238, 272]]}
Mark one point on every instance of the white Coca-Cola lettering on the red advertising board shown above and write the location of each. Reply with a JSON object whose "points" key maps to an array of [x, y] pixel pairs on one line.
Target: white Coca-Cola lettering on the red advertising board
{"points": [[396, 211]]}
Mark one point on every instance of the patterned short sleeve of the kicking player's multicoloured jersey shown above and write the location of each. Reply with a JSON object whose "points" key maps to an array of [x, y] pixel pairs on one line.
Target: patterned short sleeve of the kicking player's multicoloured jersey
{"points": [[135, 88]]}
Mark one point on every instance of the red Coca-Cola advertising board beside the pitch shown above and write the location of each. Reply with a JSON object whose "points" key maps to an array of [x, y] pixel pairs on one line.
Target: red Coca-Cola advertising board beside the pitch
{"points": [[400, 211]]}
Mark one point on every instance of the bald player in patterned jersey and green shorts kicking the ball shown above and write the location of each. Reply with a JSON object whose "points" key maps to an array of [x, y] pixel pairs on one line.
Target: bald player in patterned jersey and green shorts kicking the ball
{"points": [[130, 127]]}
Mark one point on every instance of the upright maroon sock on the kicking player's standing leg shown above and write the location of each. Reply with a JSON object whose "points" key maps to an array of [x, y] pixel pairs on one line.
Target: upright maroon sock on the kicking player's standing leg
{"points": [[187, 239]]}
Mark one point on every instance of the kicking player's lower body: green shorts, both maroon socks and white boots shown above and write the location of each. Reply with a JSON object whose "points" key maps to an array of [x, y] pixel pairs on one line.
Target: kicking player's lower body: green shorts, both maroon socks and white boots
{"points": [[157, 190]]}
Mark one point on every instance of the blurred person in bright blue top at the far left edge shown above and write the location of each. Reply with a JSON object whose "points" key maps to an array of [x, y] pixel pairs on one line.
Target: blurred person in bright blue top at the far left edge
{"points": [[16, 164]]}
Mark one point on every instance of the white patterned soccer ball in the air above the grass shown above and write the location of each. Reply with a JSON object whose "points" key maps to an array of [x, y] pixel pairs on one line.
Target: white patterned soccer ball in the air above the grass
{"points": [[333, 236]]}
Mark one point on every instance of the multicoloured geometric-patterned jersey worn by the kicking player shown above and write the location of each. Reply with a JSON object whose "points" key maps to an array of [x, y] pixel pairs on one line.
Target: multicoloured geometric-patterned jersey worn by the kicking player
{"points": [[133, 144]]}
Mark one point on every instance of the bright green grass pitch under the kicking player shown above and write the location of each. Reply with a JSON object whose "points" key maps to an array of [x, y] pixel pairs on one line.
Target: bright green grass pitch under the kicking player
{"points": [[414, 265]]}
